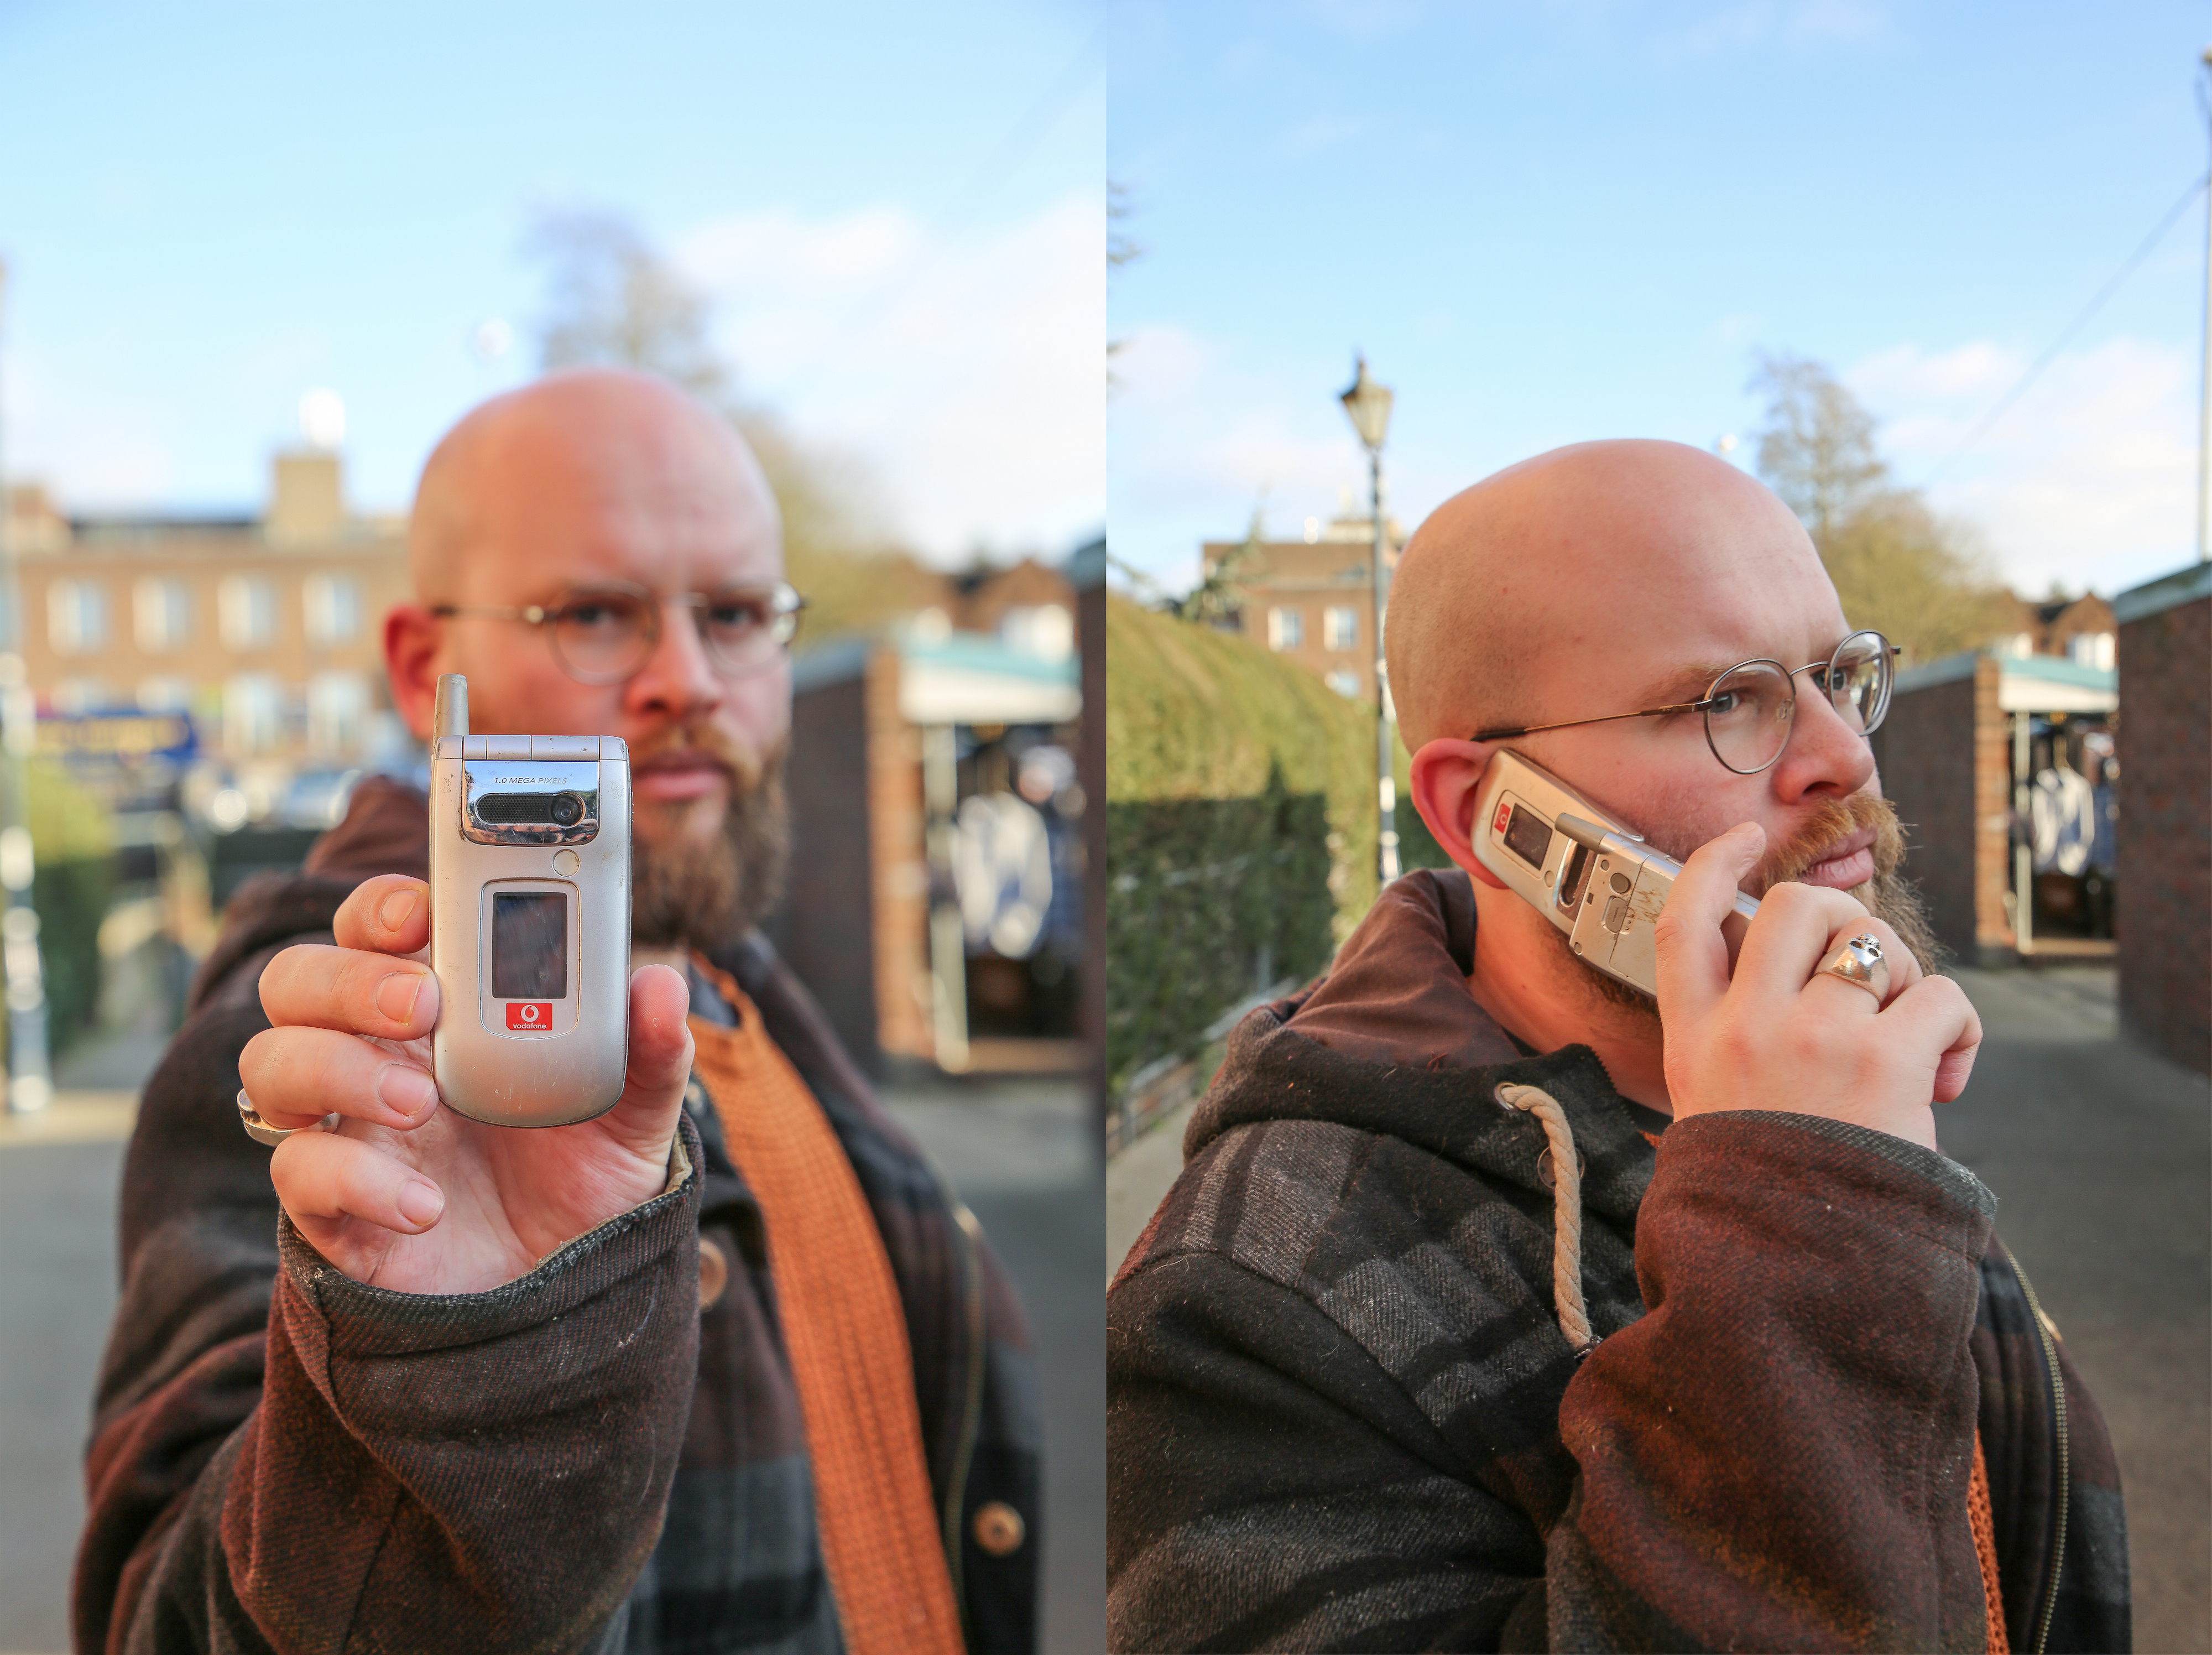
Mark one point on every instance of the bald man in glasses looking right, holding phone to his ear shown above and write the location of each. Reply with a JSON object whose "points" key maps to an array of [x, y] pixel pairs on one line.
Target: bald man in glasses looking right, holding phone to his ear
{"points": [[1503, 1307]]}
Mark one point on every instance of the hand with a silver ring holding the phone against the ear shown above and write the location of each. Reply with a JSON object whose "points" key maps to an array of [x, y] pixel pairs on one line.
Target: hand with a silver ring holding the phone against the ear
{"points": [[1782, 1034]]}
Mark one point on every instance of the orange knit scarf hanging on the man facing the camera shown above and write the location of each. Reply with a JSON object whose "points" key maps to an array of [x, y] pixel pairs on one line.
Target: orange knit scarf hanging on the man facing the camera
{"points": [[848, 1342]]}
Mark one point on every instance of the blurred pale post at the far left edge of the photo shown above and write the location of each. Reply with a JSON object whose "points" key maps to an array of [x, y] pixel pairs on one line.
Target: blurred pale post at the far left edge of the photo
{"points": [[30, 1079]]}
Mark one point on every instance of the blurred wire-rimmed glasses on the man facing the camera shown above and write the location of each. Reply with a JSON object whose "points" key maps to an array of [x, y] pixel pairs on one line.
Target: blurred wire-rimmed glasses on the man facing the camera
{"points": [[605, 634]]}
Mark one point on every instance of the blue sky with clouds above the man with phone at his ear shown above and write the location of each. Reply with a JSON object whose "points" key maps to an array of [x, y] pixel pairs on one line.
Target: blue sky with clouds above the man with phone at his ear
{"points": [[1556, 222]]}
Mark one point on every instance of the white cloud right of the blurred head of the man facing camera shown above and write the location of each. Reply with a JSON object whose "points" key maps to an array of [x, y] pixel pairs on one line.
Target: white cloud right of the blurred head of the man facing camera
{"points": [[963, 368]]}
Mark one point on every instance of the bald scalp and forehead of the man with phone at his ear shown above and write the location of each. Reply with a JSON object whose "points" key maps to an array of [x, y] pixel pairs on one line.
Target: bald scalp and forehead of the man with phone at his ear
{"points": [[1521, 592]]}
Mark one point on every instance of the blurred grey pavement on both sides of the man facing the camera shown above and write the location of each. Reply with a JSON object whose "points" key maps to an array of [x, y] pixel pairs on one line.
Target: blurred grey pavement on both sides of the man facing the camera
{"points": [[1019, 1152]]}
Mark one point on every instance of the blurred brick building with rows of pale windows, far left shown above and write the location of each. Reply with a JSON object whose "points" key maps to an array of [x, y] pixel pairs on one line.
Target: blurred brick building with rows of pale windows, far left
{"points": [[267, 629]]}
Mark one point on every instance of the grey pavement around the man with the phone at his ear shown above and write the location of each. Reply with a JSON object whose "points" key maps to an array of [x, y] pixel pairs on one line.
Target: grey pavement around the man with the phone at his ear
{"points": [[2103, 1165]]}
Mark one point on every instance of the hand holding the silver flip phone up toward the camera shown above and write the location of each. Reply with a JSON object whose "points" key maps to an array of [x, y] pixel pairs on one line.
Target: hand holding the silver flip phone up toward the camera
{"points": [[413, 1196]]}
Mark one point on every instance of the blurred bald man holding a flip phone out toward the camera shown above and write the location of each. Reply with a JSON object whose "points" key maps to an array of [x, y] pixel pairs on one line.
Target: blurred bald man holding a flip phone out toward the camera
{"points": [[421, 1384]]}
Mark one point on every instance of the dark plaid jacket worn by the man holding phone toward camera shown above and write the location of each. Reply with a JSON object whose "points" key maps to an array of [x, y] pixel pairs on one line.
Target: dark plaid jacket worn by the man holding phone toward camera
{"points": [[578, 1461]]}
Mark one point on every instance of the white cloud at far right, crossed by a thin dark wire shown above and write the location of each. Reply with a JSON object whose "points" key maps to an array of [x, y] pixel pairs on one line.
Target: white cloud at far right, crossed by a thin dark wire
{"points": [[2089, 479]]}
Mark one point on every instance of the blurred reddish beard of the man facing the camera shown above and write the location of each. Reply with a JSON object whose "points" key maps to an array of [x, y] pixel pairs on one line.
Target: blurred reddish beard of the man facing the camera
{"points": [[700, 882]]}
